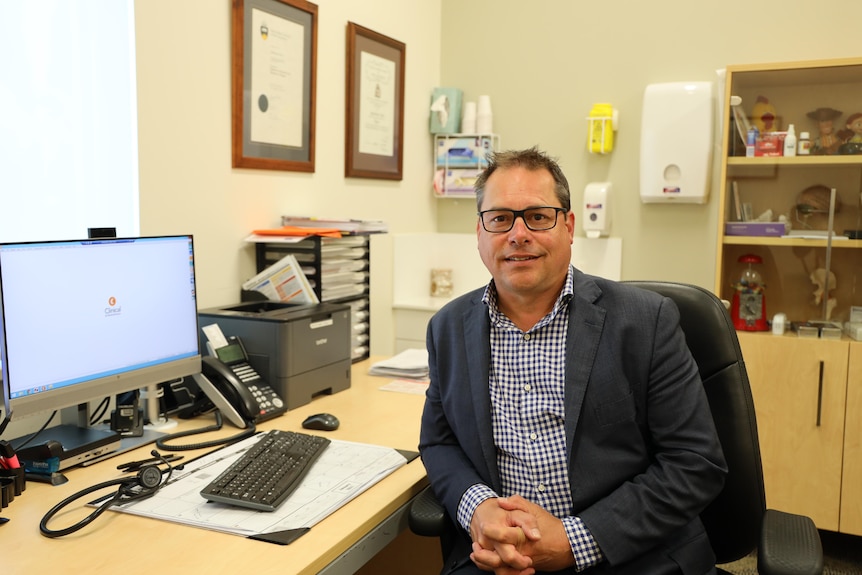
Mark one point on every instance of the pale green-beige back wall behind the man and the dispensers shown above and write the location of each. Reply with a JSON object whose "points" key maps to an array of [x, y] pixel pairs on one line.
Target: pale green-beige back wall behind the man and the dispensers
{"points": [[544, 64]]}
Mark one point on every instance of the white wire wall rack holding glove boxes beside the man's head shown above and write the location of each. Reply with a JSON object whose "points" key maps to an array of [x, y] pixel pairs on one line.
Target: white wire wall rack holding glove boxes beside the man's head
{"points": [[458, 160]]}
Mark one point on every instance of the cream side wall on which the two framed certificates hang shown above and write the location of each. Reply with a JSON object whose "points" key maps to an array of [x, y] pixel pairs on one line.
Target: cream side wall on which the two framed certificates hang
{"points": [[187, 182]]}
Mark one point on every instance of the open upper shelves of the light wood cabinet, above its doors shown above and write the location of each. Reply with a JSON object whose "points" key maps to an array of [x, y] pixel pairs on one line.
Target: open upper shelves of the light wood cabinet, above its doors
{"points": [[775, 182]]}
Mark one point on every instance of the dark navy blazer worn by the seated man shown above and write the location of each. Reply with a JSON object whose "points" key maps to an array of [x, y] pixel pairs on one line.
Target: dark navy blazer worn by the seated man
{"points": [[644, 457]]}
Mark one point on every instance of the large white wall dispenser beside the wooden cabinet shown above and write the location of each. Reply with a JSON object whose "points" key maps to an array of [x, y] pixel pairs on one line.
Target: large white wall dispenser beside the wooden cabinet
{"points": [[676, 142]]}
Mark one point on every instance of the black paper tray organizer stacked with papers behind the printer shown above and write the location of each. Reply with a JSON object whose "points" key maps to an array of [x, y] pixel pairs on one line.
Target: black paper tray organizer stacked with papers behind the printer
{"points": [[338, 270]]}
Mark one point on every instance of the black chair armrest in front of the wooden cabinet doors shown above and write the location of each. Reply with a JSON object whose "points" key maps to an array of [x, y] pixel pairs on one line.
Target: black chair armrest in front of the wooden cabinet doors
{"points": [[789, 545]]}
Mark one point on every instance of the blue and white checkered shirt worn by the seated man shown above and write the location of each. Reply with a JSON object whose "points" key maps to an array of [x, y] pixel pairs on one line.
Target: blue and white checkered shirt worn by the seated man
{"points": [[527, 386]]}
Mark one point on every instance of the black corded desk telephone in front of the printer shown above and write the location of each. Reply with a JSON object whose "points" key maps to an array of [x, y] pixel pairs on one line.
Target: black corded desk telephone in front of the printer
{"points": [[235, 387]]}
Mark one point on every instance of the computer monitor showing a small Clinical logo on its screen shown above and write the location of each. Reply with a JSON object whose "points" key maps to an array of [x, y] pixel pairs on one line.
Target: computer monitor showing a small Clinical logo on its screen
{"points": [[87, 319]]}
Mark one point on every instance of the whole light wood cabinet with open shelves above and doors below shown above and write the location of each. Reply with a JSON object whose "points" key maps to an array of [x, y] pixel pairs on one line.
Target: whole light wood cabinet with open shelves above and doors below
{"points": [[806, 391]]}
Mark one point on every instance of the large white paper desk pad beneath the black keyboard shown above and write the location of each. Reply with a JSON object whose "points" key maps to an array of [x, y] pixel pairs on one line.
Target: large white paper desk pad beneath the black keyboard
{"points": [[343, 471]]}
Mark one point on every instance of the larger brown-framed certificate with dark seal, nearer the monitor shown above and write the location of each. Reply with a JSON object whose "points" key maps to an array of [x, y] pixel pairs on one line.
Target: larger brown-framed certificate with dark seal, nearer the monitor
{"points": [[273, 84]]}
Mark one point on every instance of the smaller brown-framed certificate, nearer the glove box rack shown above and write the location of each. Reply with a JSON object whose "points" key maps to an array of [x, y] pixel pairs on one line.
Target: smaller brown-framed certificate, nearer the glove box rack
{"points": [[374, 131]]}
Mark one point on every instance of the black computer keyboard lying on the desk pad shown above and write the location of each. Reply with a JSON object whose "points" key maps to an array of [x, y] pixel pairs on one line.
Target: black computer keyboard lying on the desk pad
{"points": [[268, 472]]}
